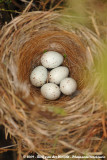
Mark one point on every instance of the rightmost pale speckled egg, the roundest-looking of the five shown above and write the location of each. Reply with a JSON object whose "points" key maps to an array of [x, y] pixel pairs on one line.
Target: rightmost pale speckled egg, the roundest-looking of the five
{"points": [[68, 86]]}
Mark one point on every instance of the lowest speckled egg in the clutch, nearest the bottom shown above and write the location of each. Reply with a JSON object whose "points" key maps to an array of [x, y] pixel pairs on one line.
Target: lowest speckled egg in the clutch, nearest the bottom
{"points": [[50, 91]]}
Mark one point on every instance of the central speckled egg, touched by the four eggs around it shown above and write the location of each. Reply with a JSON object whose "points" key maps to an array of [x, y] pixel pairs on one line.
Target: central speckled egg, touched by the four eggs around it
{"points": [[58, 74]]}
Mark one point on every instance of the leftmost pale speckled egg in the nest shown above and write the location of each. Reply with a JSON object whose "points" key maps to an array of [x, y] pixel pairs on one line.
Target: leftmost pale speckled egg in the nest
{"points": [[38, 76]]}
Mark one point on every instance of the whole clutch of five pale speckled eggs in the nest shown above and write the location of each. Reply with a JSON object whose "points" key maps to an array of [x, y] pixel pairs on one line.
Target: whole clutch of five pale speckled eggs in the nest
{"points": [[57, 76]]}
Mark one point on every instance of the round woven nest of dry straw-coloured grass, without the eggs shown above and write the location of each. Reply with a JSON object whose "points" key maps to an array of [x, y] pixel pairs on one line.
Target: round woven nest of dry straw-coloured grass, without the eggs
{"points": [[71, 124]]}
